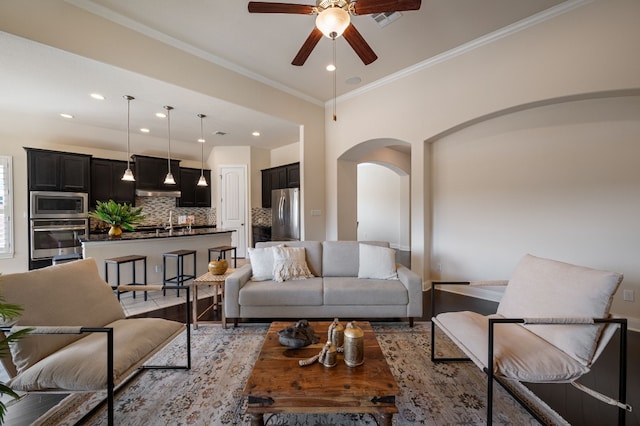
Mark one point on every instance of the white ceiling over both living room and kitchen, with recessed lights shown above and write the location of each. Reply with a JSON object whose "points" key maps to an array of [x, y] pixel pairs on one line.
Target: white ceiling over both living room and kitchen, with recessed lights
{"points": [[39, 82]]}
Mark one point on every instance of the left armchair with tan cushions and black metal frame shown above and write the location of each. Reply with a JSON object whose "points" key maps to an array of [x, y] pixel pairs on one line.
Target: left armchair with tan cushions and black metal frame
{"points": [[81, 340]]}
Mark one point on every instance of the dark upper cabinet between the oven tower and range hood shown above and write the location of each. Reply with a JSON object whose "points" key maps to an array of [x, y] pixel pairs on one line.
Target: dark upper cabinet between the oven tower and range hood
{"points": [[107, 183]]}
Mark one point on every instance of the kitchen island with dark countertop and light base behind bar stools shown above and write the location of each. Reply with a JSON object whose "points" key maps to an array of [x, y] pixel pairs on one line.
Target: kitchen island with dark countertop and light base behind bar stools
{"points": [[153, 244]]}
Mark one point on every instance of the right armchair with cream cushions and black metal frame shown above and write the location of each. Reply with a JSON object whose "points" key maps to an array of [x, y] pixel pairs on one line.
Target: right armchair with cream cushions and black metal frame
{"points": [[551, 325]]}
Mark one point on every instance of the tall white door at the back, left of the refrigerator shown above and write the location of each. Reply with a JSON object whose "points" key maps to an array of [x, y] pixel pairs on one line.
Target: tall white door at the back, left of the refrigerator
{"points": [[233, 205]]}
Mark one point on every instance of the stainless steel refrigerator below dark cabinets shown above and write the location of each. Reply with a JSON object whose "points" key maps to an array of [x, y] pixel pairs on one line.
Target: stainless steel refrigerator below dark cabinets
{"points": [[285, 214]]}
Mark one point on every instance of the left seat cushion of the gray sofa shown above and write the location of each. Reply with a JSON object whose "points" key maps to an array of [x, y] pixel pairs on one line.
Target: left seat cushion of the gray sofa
{"points": [[289, 293]]}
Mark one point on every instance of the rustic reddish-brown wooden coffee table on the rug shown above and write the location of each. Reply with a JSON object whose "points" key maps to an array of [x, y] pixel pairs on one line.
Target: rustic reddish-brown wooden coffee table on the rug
{"points": [[279, 385]]}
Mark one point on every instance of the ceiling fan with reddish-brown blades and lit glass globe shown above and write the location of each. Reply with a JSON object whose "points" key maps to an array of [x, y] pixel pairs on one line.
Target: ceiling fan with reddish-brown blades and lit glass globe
{"points": [[334, 19]]}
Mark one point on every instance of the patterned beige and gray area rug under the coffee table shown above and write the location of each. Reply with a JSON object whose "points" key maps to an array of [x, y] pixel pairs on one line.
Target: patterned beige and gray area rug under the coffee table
{"points": [[211, 392]]}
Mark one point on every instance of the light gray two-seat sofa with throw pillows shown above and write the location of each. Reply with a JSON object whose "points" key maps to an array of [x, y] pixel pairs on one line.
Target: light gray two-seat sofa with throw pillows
{"points": [[334, 290]]}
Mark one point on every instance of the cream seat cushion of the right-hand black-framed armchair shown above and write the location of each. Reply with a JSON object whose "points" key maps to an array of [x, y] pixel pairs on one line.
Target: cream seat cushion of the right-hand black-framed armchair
{"points": [[531, 359]]}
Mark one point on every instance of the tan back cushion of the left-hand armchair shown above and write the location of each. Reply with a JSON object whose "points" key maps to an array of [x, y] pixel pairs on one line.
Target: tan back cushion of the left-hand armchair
{"points": [[43, 292]]}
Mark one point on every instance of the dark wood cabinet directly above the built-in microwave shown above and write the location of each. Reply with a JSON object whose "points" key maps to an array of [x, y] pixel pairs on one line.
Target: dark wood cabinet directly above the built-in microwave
{"points": [[57, 171]]}
